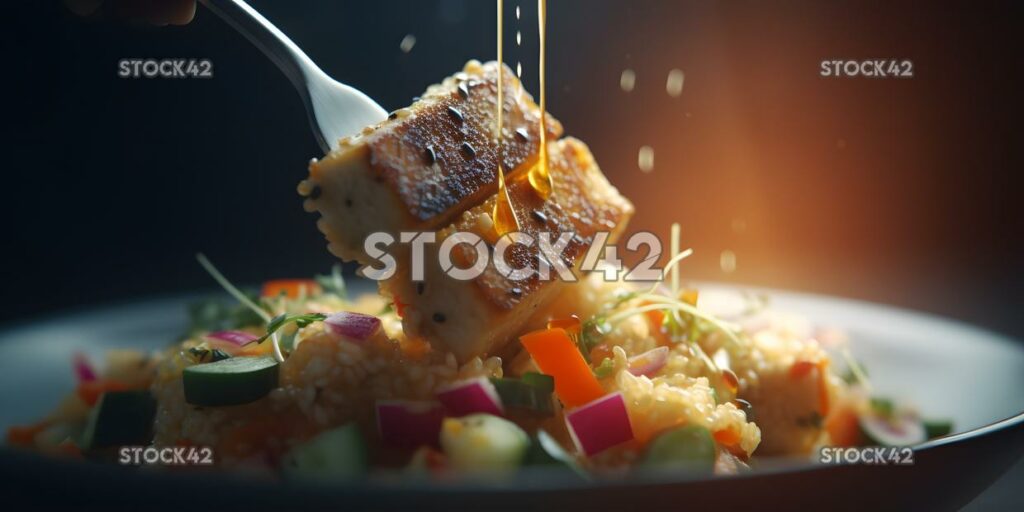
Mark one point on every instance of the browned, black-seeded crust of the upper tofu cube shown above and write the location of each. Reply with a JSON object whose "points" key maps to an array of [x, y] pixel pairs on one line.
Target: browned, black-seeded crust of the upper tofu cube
{"points": [[440, 157]]}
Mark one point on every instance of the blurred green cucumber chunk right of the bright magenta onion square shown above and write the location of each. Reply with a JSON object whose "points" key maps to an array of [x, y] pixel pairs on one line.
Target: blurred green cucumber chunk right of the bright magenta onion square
{"points": [[691, 449]]}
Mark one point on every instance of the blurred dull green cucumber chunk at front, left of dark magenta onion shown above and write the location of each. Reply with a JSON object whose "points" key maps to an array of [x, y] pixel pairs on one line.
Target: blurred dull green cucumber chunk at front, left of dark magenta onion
{"points": [[335, 455]]}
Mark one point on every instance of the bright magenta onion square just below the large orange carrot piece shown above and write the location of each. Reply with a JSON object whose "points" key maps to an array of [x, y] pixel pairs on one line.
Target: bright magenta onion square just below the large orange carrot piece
{"points": [[601, 424]]}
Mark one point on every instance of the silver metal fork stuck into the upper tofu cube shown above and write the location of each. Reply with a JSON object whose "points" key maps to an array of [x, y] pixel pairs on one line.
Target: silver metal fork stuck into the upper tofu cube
{"points": [[335, 110]]}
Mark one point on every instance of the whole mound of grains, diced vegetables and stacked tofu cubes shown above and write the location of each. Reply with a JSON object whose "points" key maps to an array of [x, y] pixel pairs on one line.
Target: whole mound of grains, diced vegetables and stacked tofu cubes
{"points": [[476, 378]]}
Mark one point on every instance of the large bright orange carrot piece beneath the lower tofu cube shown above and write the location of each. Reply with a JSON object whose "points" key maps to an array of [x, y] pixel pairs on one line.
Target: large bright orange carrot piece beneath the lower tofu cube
{"points": [[557, 356]]}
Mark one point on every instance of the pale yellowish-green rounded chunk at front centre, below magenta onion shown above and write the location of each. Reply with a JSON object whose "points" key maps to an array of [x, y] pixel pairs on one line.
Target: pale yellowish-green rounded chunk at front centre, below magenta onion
{"points": [[484, 443]]}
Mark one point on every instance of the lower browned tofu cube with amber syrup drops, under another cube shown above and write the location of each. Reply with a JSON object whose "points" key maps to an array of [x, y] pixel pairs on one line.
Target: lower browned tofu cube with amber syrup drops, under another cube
{"points": [[478, 317]]}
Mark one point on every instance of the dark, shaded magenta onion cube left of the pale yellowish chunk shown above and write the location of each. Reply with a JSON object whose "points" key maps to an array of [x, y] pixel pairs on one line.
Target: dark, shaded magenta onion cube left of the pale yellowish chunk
{"points": [[410, 424]]}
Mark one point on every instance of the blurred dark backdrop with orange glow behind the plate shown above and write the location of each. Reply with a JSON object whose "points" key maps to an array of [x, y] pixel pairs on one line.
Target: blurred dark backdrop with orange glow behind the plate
{"points": [[904, 192]]}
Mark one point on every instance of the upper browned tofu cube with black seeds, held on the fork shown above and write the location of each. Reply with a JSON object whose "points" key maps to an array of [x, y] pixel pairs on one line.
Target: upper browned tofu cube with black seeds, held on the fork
{"points": [[426, 164]]}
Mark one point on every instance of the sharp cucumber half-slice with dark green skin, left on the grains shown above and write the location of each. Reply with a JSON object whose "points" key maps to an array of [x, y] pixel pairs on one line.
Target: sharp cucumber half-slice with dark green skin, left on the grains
{"points": [[231, 382]]}
